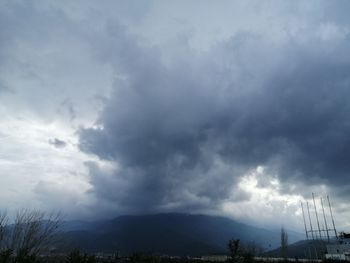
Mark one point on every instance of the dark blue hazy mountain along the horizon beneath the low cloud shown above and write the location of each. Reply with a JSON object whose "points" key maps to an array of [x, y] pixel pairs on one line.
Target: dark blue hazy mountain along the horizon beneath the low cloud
{"points": [[172, 234]]}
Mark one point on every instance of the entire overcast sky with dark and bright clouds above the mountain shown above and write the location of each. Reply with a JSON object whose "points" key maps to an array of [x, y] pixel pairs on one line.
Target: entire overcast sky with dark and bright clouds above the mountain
{"points": [[231, 108]]}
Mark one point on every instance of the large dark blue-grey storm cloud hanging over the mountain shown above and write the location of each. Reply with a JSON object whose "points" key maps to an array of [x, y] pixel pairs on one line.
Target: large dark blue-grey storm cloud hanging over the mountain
{"points": [[183, 133]]}
